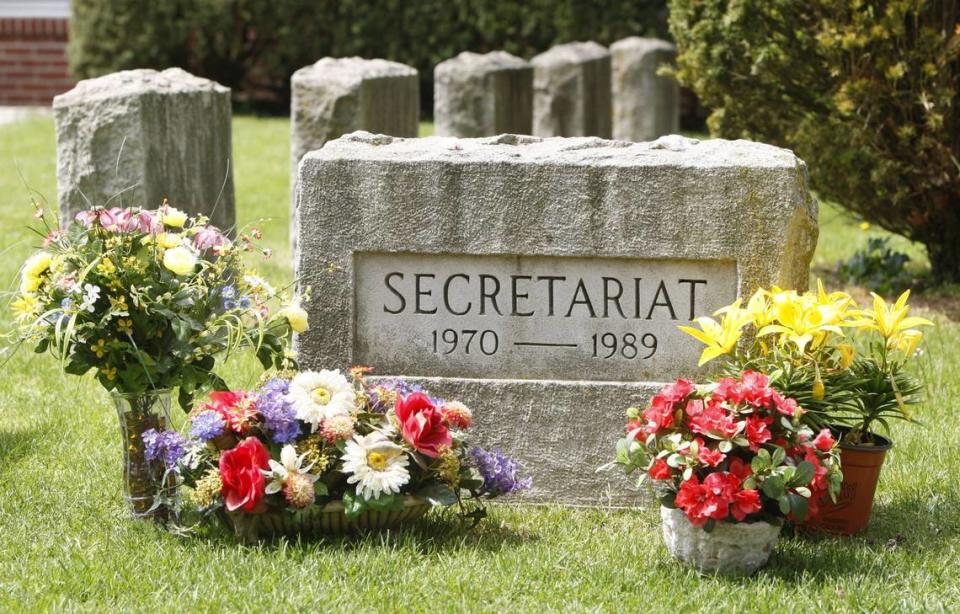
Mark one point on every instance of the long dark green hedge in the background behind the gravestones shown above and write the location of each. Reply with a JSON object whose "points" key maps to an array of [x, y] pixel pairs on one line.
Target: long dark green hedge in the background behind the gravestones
{"points": [[253, 46]]}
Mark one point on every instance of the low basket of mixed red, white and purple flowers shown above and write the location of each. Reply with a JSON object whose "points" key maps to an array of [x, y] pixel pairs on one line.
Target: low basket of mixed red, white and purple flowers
{"points": [[316, 452]]}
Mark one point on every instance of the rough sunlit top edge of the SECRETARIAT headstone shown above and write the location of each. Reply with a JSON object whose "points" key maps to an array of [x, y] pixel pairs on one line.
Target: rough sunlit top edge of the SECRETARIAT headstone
{"points": [[672, 150]]}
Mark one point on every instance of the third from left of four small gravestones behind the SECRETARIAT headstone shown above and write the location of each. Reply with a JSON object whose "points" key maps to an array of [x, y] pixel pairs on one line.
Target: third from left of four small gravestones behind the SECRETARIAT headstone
{"points": [[571, 91]]}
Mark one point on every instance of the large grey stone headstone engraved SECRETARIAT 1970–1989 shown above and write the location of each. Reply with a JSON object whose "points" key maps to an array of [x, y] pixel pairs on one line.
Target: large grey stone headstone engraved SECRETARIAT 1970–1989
{"points": [[541, 280]]}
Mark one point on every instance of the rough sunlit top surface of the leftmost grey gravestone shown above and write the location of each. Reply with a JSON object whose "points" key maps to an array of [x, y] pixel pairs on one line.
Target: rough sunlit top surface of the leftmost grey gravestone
{"points": [[137, 82]]}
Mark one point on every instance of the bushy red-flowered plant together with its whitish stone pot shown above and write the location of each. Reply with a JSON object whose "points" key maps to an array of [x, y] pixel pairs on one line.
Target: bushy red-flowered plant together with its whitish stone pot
{"points": [[729, 462]]}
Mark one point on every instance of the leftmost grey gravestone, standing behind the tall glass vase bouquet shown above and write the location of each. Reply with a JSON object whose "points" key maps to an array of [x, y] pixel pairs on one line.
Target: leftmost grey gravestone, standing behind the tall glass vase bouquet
{"points": [[135, 137]]}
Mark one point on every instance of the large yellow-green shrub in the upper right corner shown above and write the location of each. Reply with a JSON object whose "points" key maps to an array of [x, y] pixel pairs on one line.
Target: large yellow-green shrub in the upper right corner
{"points": [[865, 92]]}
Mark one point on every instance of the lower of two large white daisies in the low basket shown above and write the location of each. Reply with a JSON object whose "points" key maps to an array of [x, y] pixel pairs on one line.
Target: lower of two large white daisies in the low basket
{"points": [[376, 465]]}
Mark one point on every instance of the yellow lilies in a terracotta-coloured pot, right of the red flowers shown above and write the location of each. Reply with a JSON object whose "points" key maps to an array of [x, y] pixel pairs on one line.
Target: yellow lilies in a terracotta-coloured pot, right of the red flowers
{"points": [[847, 366]]}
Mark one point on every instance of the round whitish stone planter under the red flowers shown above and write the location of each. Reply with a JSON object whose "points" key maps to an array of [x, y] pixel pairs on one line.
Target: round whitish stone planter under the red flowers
{"points": [[734, 548]]}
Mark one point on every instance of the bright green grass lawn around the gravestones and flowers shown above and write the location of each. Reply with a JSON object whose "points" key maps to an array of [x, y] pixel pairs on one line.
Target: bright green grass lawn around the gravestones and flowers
{"points": [[66, 542]]}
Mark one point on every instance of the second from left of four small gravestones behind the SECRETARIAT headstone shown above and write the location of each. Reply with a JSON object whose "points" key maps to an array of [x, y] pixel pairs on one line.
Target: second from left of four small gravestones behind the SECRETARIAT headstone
{"points": [[483, 95]]}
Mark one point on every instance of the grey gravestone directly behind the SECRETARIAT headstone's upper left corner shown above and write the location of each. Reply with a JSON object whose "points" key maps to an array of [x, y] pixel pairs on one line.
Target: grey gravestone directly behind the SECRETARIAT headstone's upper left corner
{"points": [[335, 96]]}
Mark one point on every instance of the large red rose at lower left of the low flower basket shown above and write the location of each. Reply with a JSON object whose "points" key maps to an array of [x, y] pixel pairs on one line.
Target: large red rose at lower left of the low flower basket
{"points": [[242, 481]]}
